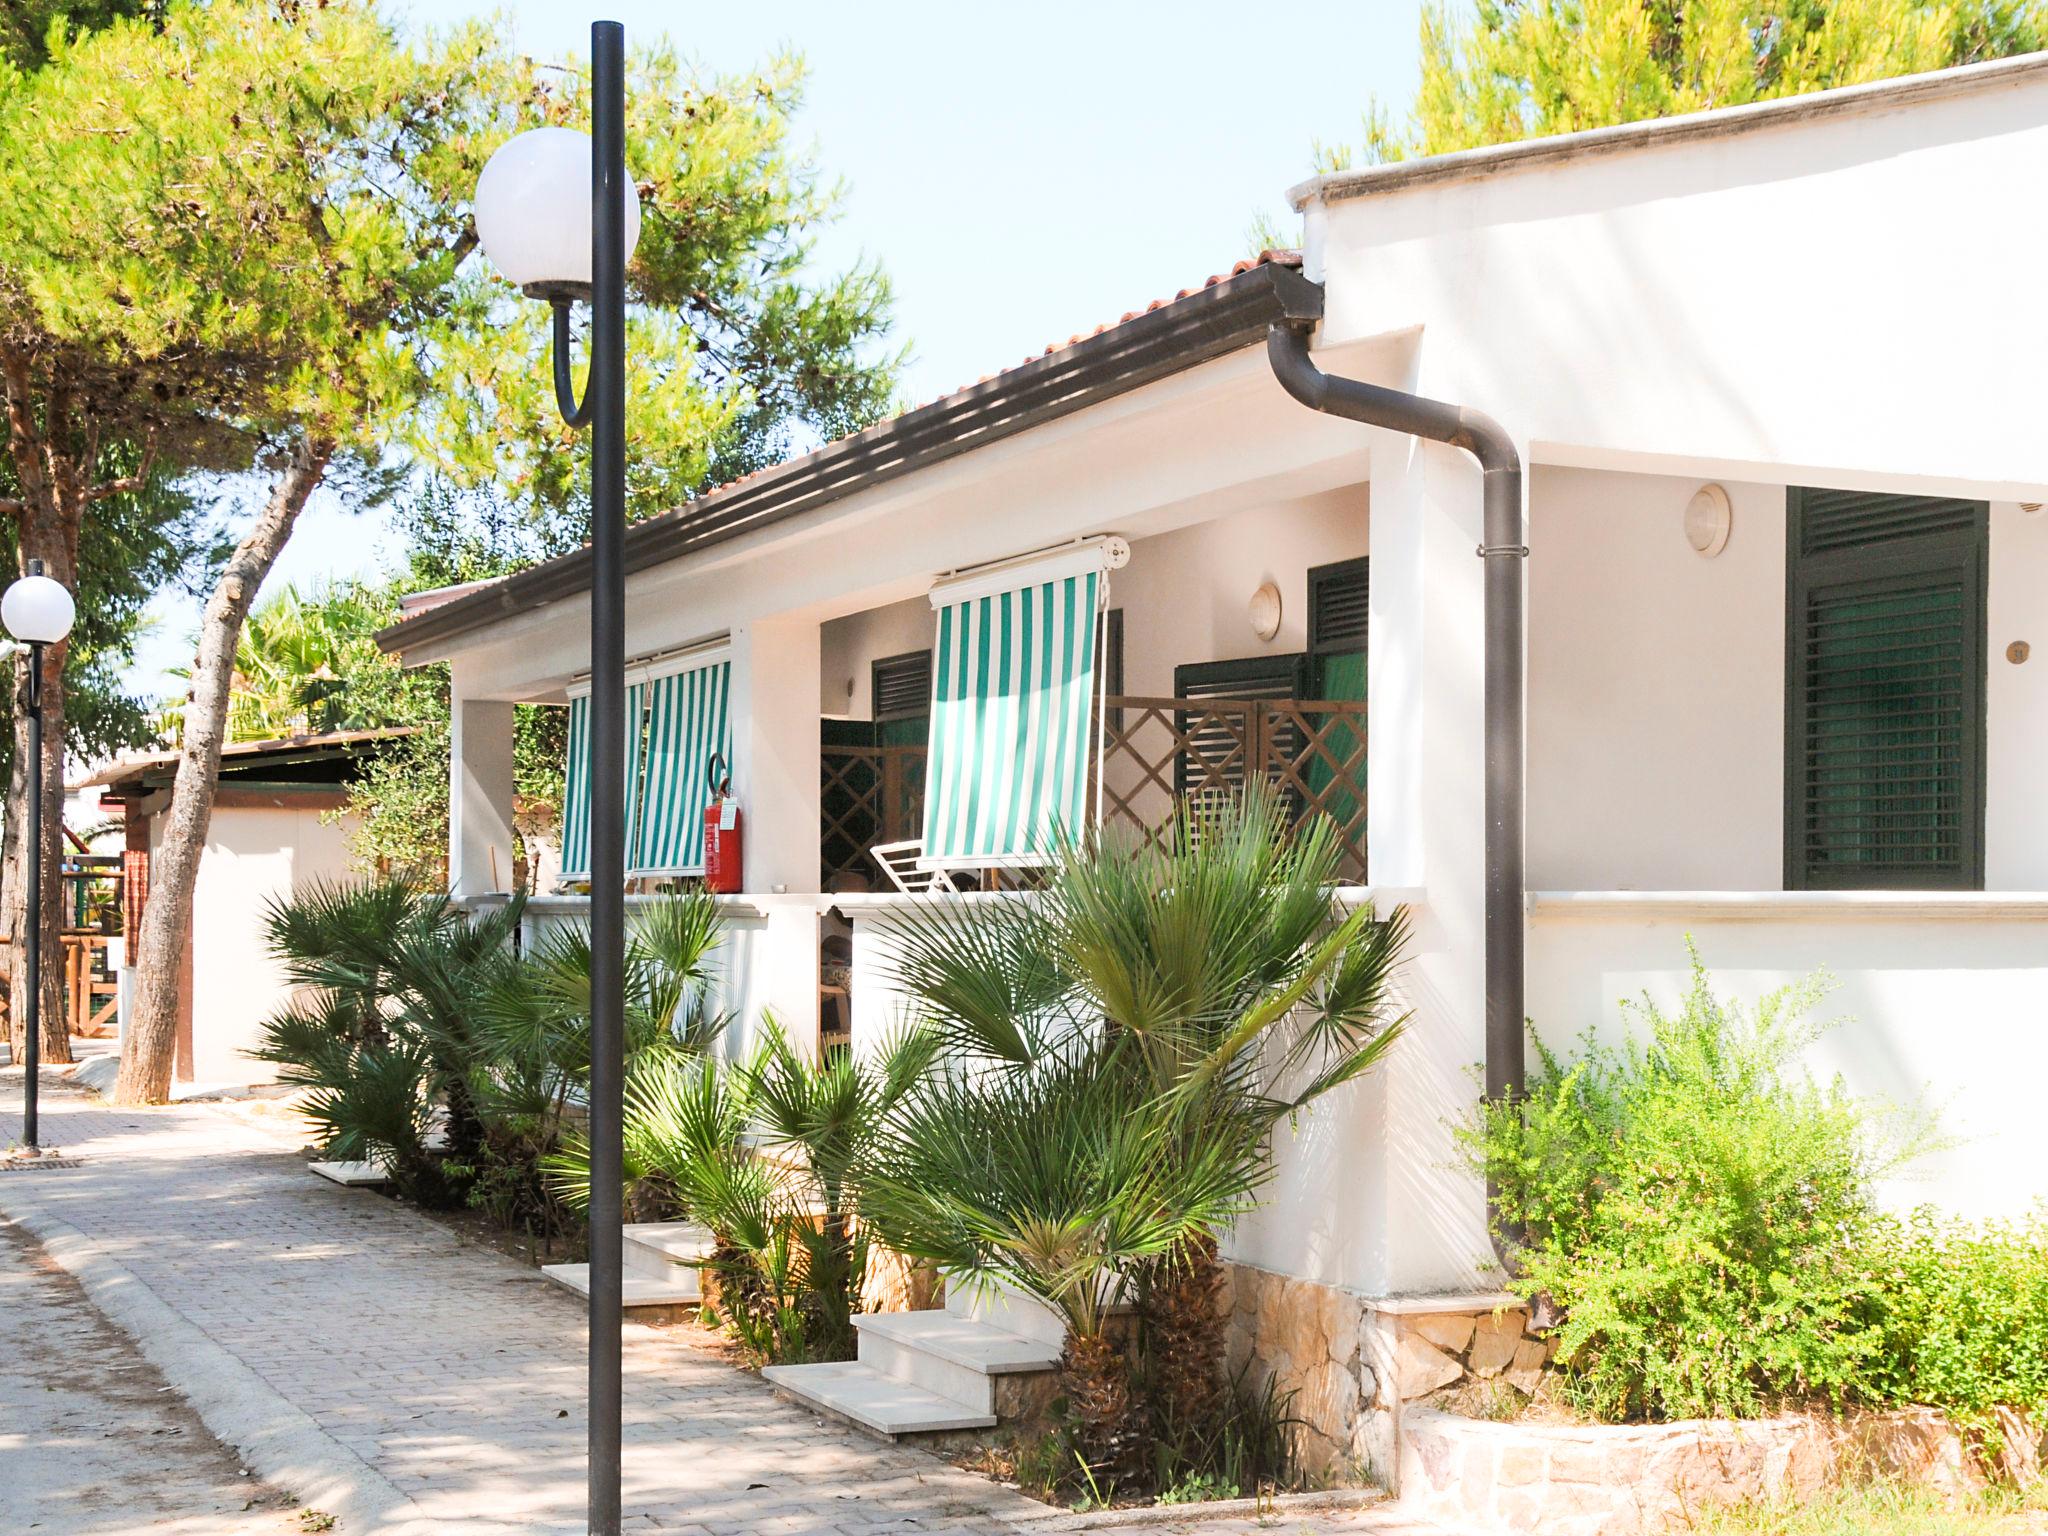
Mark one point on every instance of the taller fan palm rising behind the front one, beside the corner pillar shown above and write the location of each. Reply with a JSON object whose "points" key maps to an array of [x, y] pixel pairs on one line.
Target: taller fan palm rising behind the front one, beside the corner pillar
{"points": [[1220, 974]]}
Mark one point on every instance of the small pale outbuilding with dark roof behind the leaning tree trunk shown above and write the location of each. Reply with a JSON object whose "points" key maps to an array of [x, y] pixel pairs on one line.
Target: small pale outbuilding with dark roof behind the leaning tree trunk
{"points": [[275, 833]]}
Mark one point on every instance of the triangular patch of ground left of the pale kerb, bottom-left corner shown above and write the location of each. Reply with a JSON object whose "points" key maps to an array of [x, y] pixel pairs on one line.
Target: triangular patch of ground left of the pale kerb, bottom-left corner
{"points": [[91, 1439]]}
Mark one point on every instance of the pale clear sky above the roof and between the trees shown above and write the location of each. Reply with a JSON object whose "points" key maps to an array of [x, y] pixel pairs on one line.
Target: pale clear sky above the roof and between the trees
{"points": [[1023, 173]]}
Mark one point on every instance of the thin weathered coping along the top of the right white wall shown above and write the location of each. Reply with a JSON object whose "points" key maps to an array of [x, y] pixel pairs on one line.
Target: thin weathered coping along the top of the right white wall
{"points": [[1687, 128]]}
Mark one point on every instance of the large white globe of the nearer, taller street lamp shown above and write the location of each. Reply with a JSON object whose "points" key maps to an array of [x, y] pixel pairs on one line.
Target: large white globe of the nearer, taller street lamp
{"points": [[534, 212]]}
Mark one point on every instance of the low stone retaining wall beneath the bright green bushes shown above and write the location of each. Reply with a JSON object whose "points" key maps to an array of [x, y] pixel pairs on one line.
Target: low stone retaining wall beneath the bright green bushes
{"points": [[1625, 1480]]}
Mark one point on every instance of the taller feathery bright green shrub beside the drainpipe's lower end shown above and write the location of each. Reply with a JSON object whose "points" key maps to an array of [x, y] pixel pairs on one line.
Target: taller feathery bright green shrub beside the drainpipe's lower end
{"points": [[1699, 1209]]}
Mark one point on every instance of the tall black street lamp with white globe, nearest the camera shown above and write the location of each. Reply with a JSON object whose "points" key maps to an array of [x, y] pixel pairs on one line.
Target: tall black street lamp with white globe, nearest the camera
{"points": [[558, 216]]}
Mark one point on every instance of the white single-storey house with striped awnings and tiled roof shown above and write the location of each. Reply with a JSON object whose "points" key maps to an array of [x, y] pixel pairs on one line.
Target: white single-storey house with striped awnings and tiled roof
{"points": [[1777, 382]]}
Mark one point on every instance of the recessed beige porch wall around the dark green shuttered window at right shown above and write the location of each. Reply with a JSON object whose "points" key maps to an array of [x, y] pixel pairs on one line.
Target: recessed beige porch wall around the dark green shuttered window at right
{"points": [[1656, 749]]}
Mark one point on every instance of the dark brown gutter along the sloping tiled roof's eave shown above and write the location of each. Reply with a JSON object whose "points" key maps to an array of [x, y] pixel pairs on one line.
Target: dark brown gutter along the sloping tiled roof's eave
{"points": [[1177, 337]]}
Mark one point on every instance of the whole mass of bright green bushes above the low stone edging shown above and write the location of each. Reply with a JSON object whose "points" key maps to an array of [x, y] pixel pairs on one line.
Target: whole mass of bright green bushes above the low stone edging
{"points": [[1703, 1218]]}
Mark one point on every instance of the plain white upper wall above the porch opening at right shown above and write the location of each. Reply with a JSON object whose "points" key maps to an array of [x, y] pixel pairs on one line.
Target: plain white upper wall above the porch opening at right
{"points": [[1644, 304]]}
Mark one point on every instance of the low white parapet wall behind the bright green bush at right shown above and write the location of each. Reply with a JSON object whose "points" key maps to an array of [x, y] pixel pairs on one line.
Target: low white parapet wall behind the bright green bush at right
{"points": [[1947, 1013]]}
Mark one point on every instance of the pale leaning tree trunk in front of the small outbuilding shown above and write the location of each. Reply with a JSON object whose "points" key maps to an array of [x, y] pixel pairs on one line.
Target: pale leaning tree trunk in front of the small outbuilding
{"points": [[153, 1035]]}
